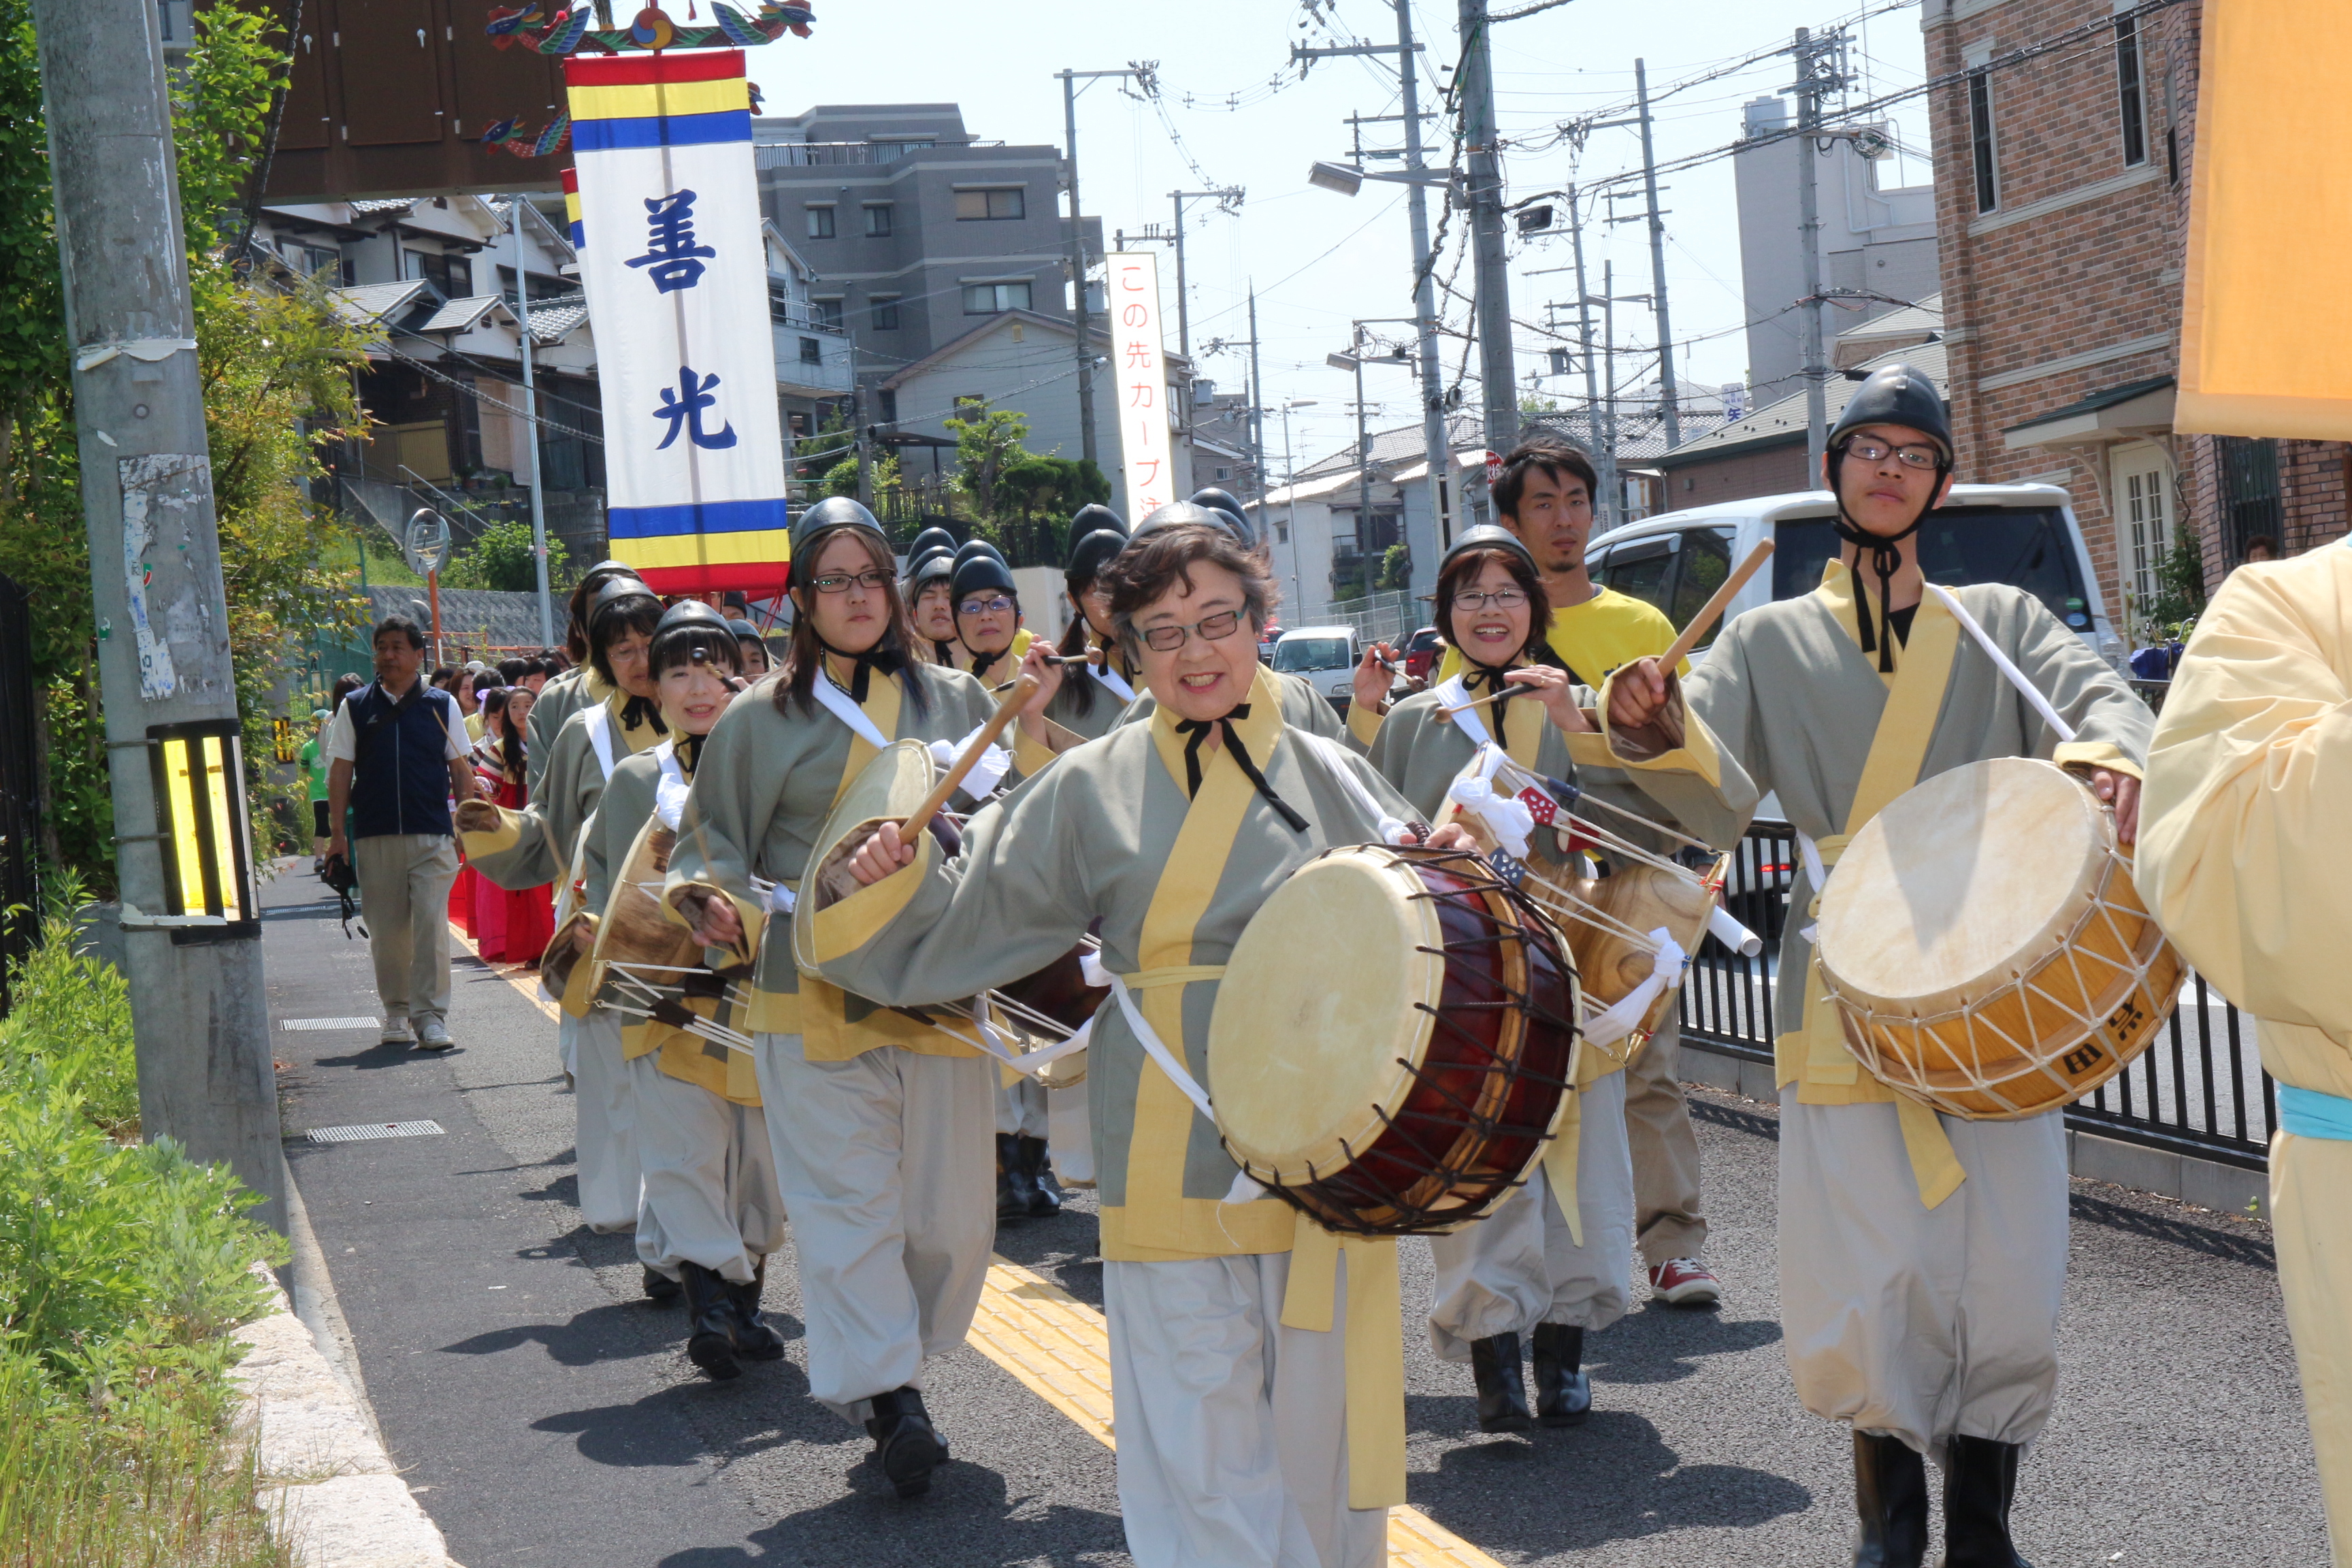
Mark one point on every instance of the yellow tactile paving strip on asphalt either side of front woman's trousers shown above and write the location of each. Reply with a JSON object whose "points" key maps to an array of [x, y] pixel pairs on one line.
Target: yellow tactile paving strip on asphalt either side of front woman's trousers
{"points": [[1060, 1348]]}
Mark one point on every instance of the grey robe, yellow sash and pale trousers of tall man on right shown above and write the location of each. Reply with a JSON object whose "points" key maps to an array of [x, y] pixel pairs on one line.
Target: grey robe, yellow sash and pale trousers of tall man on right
{"points": [[1923, 1259]]}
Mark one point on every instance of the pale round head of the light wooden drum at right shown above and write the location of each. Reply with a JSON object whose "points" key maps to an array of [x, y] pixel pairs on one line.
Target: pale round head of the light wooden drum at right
{"points": [[1960, 885]]}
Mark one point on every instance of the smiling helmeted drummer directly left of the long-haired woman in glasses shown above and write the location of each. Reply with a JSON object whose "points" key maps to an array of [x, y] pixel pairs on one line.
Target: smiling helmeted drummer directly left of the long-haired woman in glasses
{"points": [[711, 1212]]}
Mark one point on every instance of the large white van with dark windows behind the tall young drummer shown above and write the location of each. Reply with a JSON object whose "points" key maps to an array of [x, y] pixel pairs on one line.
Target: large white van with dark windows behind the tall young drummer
{"points": [[2019, 535]]}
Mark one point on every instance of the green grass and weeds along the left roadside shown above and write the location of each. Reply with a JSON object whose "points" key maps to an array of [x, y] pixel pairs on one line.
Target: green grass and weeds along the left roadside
{"points": [[123, 1268]]}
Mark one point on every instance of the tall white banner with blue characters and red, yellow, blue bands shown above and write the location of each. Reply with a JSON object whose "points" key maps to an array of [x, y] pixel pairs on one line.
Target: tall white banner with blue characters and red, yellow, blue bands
{"points": [[679, 295]]}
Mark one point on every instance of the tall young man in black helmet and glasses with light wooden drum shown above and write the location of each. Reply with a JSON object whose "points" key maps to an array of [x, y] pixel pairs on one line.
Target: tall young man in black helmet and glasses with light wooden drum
{"points": [[1923, 1257]]}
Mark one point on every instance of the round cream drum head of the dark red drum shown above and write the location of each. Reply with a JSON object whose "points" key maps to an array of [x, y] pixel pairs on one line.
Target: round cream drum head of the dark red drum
{"points": [[1318, 1003]]}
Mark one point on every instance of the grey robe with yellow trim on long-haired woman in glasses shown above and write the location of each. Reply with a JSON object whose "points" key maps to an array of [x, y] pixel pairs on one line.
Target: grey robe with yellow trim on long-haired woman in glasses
{"points": [[761, 796]]}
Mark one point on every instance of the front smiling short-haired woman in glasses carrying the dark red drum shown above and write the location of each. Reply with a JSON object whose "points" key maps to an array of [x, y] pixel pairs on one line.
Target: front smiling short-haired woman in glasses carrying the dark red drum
{"points": [[1259, 1419]]}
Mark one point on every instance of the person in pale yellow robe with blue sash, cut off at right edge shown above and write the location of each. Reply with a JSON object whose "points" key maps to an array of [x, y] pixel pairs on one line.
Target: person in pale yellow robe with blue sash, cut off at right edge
{"points": [[2243, 857]]}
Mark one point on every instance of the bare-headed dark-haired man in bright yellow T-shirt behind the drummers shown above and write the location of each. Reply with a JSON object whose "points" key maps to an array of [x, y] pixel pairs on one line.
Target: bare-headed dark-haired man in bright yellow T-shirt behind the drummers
{"points": [[1544, 495]]}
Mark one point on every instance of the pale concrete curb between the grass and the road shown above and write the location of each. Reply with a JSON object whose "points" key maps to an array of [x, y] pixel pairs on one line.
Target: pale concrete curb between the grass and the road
{"points": [[328, 1487]]}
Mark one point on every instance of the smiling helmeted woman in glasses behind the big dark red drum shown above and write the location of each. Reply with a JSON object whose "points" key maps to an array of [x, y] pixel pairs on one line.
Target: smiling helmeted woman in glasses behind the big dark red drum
{"points": [[1528, 1271]]}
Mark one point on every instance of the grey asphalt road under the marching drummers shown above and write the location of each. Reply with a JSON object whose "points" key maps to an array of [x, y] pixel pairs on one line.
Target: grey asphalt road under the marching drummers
{"points": [[547, 1414]]}
